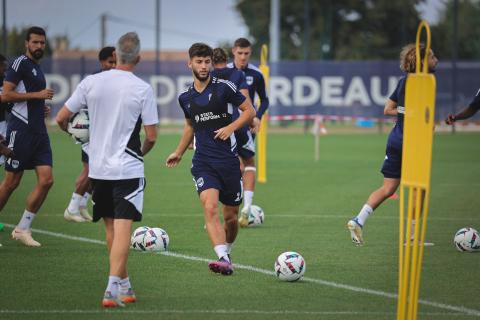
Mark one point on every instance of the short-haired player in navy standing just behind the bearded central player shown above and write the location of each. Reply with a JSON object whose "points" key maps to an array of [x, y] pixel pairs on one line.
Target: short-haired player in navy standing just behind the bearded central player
{"points": [[242, 50]]}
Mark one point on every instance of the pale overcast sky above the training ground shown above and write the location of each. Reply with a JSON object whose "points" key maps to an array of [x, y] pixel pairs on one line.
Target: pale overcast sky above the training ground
{"points": [[182, 21]]}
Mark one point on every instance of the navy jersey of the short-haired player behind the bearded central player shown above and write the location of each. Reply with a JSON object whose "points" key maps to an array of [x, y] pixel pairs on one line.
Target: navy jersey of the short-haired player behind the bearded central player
{"points": [[256, 83]]}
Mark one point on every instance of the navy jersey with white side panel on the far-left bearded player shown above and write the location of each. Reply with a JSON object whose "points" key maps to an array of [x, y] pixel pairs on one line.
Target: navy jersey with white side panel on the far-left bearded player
{"points": [[28, 77]]}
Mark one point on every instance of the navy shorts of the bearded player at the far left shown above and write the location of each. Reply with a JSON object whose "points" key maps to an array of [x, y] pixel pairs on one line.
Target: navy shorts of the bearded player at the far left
{"points": [[30, 149]]}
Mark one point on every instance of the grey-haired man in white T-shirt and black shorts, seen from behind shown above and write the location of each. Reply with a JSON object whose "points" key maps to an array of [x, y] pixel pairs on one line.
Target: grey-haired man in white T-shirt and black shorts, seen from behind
{"points": [[116, 154]]}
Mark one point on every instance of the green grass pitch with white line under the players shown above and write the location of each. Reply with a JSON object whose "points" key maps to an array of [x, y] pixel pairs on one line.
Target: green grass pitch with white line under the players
{"points": [[306, 204]]}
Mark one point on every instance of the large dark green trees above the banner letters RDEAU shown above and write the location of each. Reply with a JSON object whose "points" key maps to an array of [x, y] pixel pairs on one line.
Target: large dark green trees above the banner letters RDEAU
{"points": [[339, 29]]}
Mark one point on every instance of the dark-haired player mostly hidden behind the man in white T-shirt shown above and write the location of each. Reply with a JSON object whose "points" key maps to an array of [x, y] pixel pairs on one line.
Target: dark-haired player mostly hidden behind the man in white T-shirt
{"points": [[77, 208]]}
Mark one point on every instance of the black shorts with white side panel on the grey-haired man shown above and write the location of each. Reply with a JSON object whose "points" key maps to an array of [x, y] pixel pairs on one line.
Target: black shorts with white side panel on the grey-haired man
{"points": [[118, 199]]}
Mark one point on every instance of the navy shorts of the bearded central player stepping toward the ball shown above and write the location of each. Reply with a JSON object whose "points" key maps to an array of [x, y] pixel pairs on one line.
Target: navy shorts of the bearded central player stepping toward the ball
{"points": [[225, 177]]}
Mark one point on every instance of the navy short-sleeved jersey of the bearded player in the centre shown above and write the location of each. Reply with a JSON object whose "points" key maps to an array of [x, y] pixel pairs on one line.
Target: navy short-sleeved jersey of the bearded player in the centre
{"points": [[209, 111]]}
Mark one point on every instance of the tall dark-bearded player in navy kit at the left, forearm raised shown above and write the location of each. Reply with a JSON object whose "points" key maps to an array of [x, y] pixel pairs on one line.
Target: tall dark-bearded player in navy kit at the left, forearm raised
{"points": [[27, 135]]}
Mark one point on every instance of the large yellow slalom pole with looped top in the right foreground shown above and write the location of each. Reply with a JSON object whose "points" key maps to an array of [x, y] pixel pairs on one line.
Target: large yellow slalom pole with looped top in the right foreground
{"points": [[416, 170]]}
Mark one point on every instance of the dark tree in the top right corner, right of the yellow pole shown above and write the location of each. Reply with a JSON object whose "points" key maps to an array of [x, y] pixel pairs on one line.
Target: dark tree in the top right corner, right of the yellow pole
{"points": [[468, 31]]}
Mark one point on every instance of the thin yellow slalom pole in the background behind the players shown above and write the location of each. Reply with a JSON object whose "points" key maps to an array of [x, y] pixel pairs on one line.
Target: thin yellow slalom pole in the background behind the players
{"points": [[262, 134]]}
